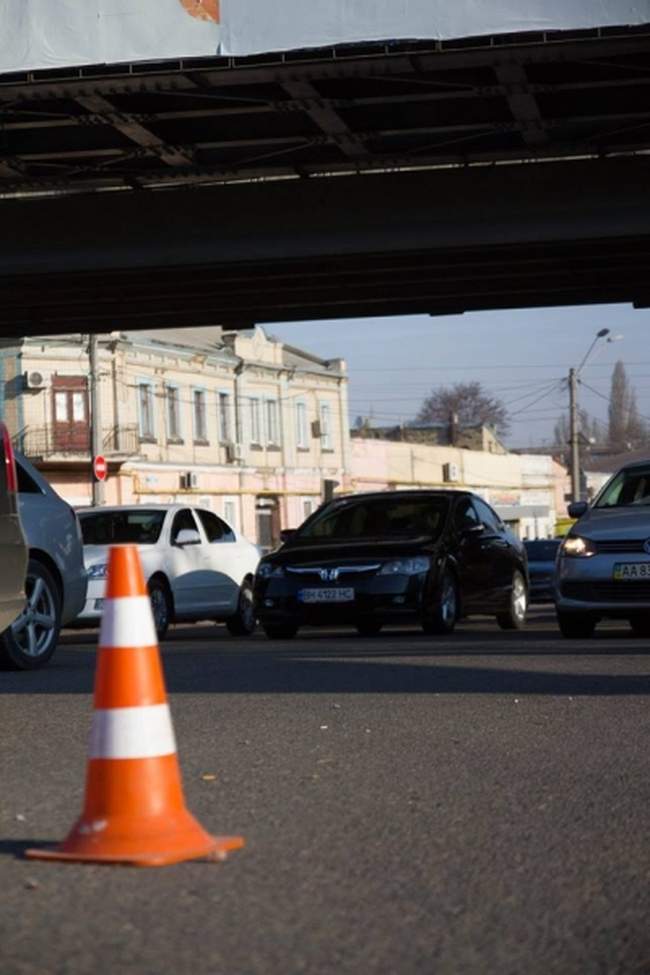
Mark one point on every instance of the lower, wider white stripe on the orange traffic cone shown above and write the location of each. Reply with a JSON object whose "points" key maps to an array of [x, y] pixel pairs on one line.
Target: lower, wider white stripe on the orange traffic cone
{"points": [[142, 732]]}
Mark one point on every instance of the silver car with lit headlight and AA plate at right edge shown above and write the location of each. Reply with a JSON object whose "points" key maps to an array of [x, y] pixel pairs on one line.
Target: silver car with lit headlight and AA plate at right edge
{"points": [[603, 566]]}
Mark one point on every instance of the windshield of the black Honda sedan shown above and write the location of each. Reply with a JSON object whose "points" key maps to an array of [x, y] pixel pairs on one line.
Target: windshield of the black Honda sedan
{"points": [[384, 518]]}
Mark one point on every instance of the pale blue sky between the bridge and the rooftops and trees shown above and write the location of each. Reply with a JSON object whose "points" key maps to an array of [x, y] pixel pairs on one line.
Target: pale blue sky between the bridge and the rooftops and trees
{"points": [[521, 356]]}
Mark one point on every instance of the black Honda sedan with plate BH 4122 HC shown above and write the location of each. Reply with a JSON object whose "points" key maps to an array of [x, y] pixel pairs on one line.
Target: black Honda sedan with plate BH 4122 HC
{"points": [[371, 559]]}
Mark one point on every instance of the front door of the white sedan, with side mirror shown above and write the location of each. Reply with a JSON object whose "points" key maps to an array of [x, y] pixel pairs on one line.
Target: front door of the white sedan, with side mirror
{"points": [[190, 576]]}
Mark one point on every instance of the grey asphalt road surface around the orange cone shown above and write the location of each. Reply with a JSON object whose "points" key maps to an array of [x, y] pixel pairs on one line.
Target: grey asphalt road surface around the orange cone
{"points": [[473, 804]]}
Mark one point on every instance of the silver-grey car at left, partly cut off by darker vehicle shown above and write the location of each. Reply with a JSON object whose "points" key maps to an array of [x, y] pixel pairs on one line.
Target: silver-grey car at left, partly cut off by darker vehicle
{"points": [[56, 580]]}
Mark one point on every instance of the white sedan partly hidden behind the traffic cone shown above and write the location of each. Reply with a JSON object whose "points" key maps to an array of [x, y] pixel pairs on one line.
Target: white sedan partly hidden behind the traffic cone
{"points": [[195, 565]]}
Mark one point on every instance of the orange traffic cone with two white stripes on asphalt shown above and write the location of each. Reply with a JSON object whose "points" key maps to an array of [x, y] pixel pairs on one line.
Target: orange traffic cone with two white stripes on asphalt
{"points": [[134, 810]]}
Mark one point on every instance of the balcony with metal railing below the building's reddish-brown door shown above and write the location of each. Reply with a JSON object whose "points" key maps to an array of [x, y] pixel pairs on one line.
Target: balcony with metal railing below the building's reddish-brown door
{"points": [[47, 443]]}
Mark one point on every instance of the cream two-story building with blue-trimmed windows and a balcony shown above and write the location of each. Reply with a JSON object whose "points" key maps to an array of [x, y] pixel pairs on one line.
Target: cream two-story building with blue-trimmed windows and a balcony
{"points": [[239, 421]]}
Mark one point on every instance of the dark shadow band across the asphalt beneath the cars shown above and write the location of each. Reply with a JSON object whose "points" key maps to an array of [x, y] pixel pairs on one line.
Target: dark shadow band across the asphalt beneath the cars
{"points": [[206, 660]]}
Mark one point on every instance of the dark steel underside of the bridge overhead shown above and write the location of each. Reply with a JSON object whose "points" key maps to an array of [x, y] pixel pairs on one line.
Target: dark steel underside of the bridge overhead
{"points": [[502, 172]]}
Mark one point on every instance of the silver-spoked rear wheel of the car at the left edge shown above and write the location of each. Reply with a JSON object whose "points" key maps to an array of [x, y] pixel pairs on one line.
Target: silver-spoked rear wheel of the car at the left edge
{"points": [[31, 639]]}
